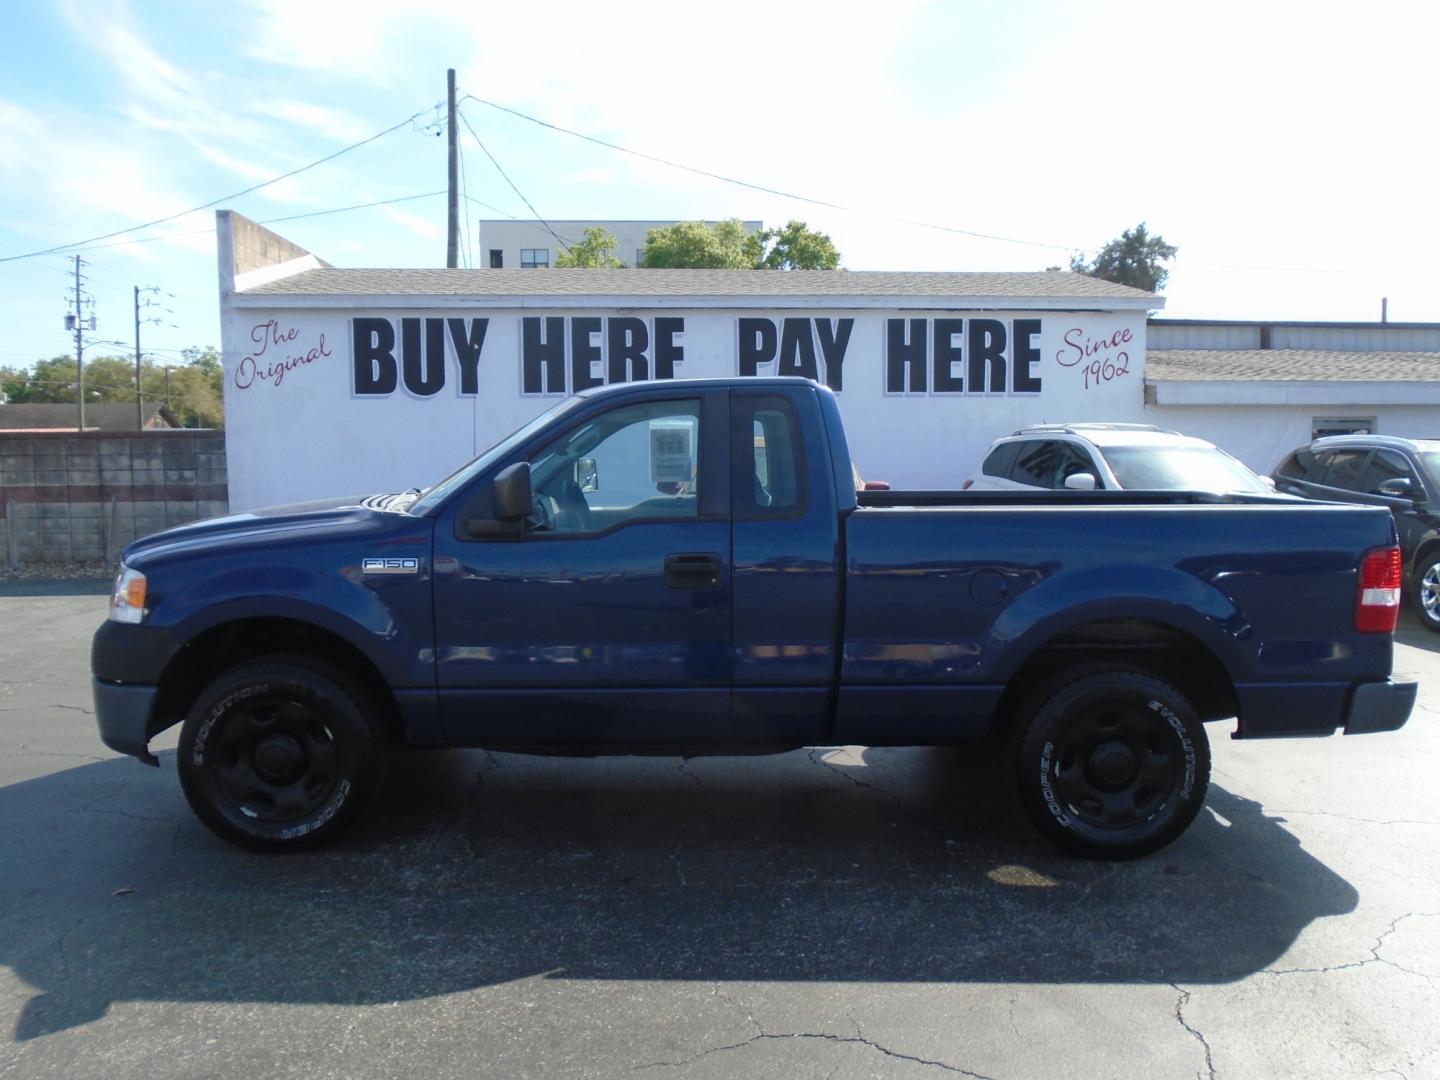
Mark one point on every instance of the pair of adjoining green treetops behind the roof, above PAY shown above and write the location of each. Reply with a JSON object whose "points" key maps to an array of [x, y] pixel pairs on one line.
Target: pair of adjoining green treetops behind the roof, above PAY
{"points": [[726, 246]]}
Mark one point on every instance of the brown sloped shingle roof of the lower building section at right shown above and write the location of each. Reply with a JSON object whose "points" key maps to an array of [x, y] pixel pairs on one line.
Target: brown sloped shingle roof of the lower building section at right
{"points": [[1288, 366]]}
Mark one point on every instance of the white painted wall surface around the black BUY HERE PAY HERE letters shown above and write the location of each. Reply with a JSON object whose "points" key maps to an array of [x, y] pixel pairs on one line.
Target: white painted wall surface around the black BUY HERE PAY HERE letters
{"points": [[297, 430]]}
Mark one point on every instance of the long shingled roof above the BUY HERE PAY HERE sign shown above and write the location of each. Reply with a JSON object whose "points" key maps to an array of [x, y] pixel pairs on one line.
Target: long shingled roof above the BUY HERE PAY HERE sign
{"points": [[689, 283]]}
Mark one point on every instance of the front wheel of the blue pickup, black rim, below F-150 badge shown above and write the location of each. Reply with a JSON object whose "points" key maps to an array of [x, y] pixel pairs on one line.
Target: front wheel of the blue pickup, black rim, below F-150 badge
{"points": [[280, 755]]}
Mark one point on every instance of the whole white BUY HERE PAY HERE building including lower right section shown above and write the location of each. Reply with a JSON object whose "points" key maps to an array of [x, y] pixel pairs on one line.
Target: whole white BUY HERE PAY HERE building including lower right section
{"points": [[359, 381]]}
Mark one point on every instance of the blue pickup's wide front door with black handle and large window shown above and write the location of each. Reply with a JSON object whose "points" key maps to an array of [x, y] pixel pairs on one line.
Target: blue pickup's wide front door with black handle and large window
{"points": [[607, 621]]}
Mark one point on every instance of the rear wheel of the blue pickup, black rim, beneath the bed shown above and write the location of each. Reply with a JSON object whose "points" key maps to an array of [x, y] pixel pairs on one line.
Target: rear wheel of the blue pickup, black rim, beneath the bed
{"points": [[1112, 765]]}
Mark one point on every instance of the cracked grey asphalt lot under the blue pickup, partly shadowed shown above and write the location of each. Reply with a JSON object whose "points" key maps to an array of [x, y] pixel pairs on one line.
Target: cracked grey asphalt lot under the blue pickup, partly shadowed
{"points": [[824, 914]]}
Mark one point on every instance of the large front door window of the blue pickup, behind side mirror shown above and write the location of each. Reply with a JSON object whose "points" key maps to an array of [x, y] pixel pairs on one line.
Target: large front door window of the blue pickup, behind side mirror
{"points": [[631, 464]]}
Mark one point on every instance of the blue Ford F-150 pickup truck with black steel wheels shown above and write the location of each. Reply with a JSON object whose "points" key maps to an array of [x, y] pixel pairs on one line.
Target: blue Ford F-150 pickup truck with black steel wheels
{"points": [[686, 567]]}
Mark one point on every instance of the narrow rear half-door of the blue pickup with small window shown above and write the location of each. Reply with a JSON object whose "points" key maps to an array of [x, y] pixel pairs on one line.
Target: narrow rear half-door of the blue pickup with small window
{"points": [[787, 567]]}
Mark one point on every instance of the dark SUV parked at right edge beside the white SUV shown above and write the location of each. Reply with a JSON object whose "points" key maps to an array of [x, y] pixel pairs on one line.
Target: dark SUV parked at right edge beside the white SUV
{"points": [[1382, 472]]}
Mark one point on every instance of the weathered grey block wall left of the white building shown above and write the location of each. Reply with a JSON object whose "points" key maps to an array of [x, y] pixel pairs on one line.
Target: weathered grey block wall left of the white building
{"points": [[68, 498]]}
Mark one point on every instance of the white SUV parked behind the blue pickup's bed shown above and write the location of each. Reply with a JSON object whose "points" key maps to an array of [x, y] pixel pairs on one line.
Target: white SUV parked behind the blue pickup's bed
{"points": [[1111, 456]]}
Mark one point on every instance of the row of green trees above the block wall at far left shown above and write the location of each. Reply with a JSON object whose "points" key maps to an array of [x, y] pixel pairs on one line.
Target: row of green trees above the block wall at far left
{"points": [[195, 385]]}
